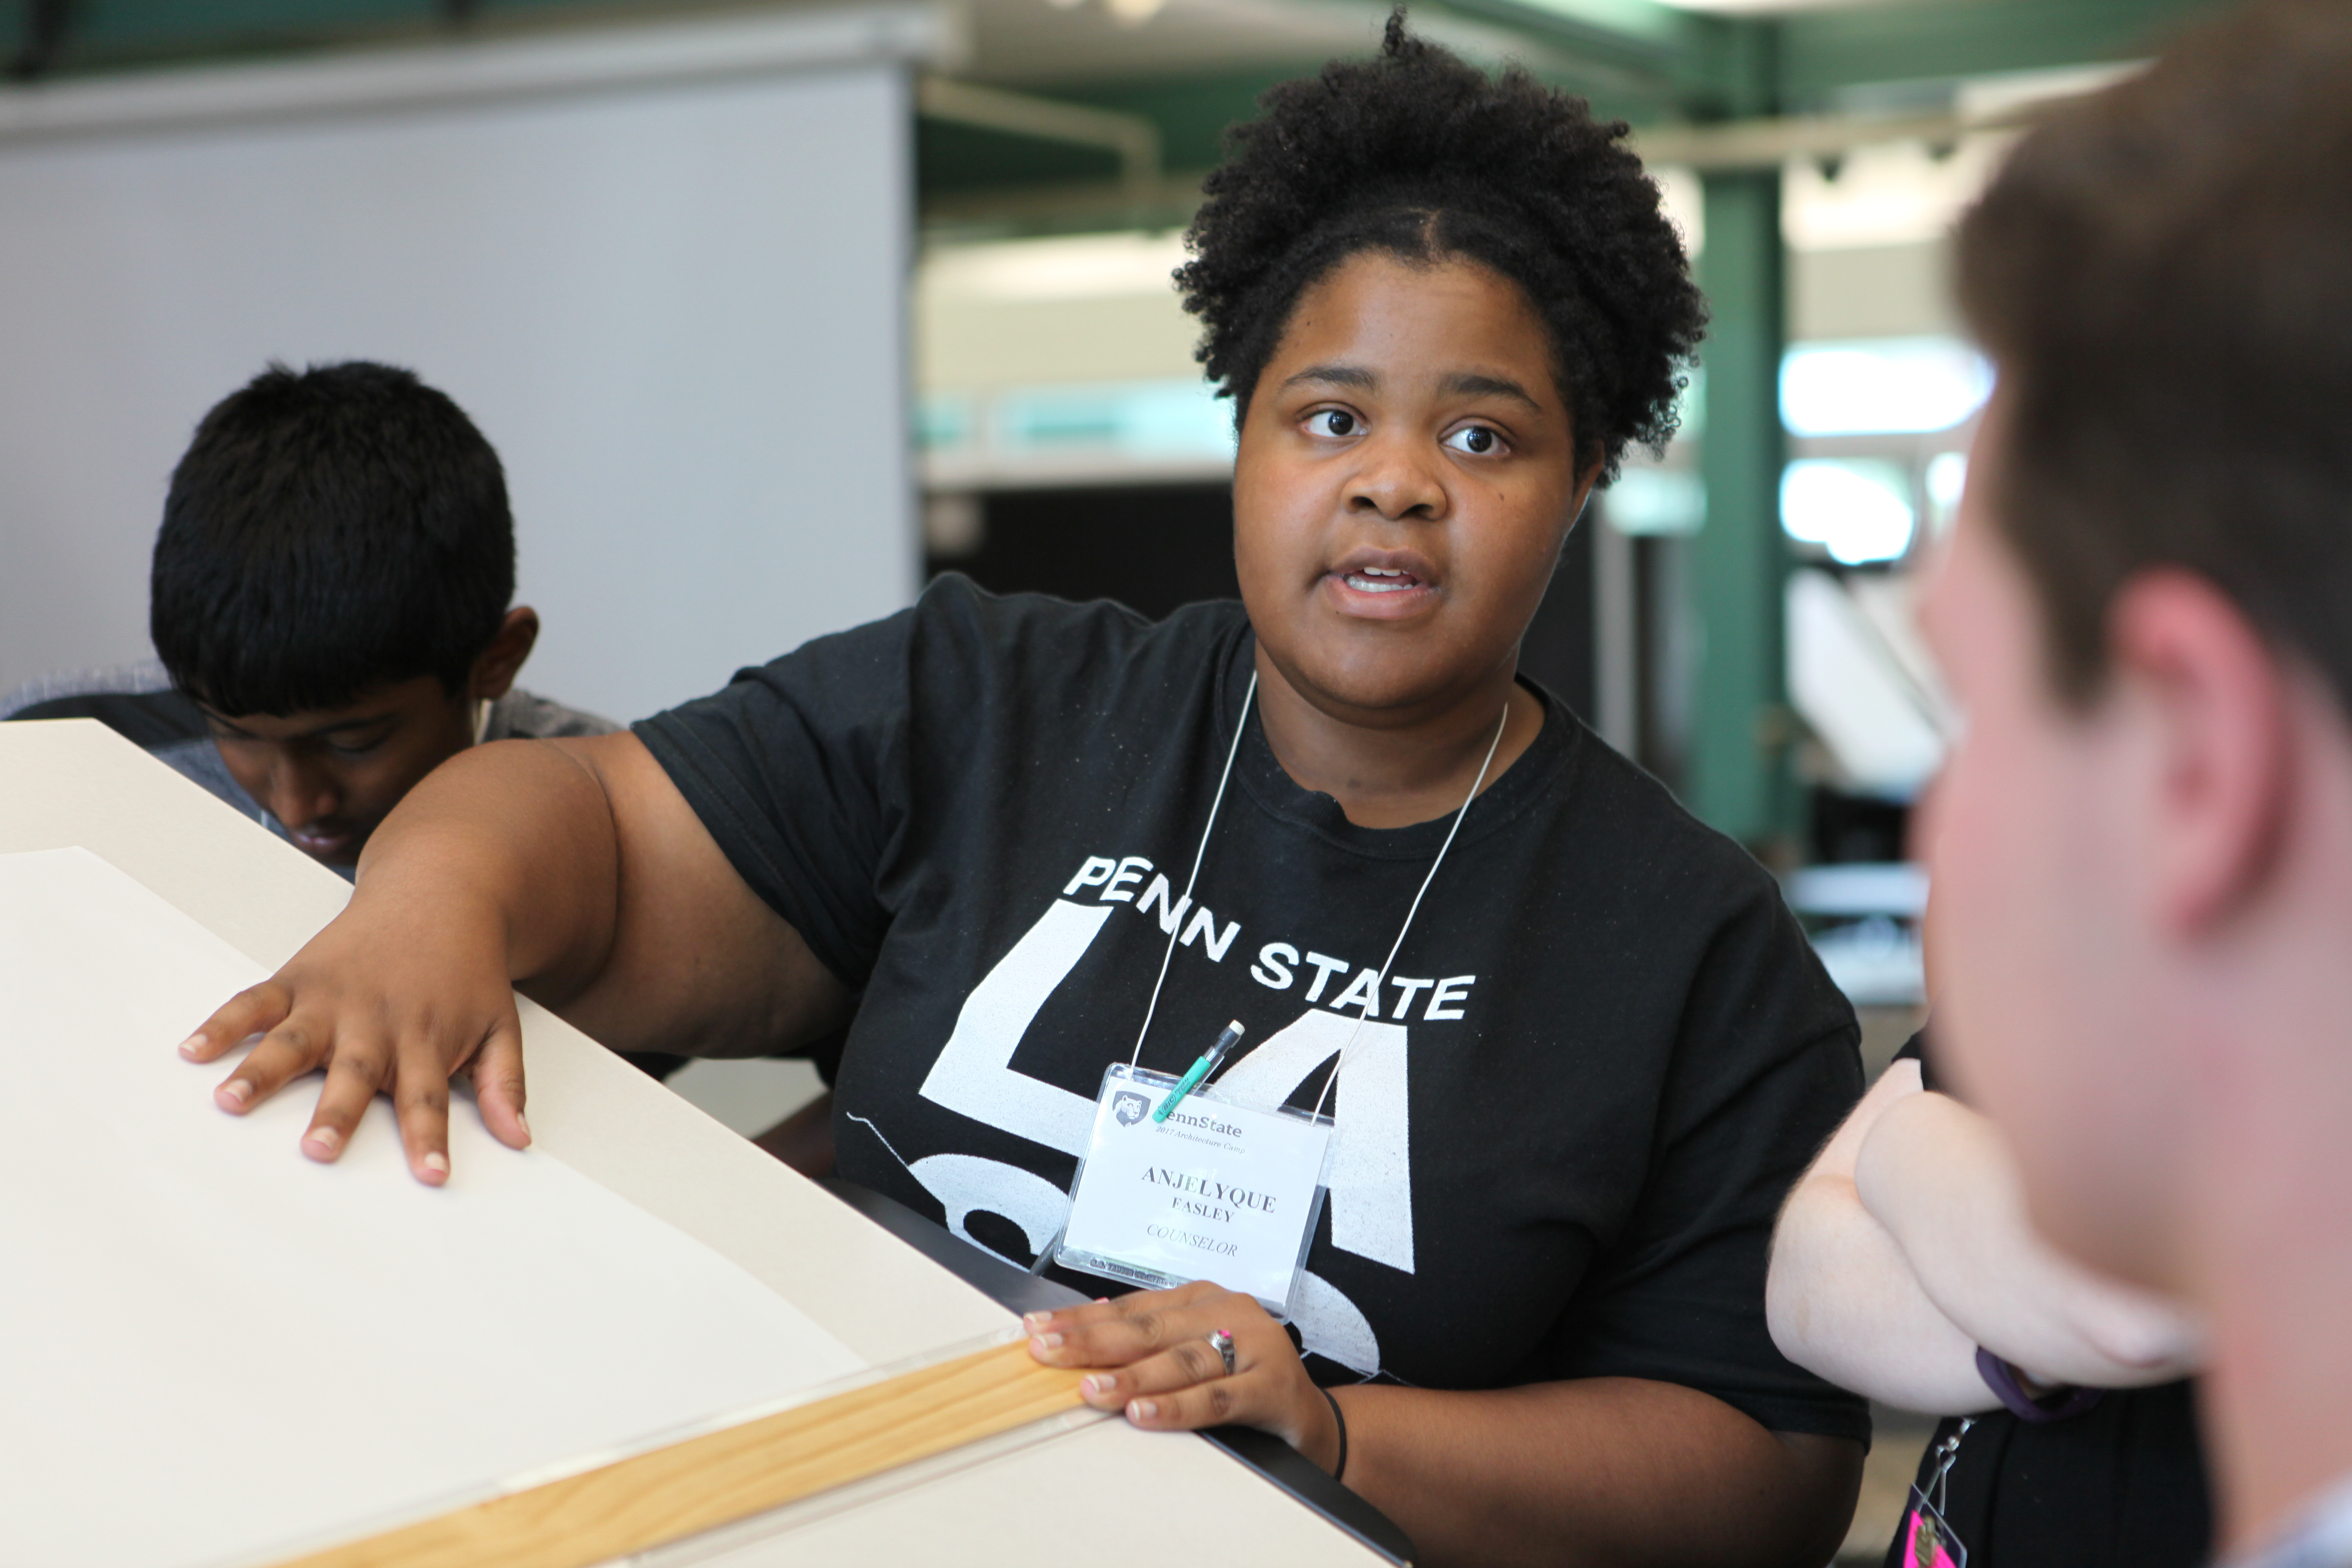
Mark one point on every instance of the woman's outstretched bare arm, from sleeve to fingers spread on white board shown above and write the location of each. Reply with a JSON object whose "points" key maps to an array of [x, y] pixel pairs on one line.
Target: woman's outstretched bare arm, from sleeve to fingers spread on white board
{"points": [[573, 869]]}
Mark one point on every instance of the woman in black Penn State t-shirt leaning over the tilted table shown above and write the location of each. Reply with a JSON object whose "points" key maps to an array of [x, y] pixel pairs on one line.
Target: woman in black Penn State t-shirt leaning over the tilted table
{"points": [[1572, 1040]]}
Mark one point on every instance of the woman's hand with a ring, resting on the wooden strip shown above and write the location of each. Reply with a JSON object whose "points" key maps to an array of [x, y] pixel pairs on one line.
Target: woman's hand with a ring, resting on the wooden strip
{"points": [[1161, 1367]]}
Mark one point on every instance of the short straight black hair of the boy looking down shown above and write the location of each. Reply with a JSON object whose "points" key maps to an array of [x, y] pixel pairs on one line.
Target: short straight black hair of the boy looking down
{"points": [[330, 532]]}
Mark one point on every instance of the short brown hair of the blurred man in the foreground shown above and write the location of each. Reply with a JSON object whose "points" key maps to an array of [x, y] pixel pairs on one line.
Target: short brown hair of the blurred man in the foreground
{"points": [[2165, 279]]}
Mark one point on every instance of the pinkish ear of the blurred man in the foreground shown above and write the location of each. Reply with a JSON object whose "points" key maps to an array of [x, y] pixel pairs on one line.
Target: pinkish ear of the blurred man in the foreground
{"points": [[2214, 716]]}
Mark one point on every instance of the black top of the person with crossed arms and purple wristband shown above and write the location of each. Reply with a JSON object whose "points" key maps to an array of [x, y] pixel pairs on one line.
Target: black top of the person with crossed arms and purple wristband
{"points": [[2118, 1487]]}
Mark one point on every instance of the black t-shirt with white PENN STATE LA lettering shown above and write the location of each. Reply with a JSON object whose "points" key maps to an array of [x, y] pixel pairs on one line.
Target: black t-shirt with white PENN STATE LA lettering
{"points": [[1596, 1068]]}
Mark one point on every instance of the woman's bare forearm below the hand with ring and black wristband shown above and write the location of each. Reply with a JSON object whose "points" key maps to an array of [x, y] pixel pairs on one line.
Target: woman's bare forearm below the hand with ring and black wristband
{"points": [[1603, 1470]]}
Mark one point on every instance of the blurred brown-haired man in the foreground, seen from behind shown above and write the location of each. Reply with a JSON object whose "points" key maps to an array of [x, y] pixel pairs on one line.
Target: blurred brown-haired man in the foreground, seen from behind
{"points": [[2144, 840]]}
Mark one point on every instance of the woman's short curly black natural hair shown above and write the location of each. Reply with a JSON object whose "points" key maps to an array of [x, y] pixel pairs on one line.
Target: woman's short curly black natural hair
{"points": [[1422, 156]]}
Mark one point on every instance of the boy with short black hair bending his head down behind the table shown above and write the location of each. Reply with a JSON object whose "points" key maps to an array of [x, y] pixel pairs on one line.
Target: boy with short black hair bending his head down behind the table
{"points": [[333, 605]]}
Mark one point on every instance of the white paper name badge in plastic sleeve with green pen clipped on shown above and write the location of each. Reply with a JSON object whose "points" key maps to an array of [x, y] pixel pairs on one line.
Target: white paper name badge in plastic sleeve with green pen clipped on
{"points": [[1222, 1191]]}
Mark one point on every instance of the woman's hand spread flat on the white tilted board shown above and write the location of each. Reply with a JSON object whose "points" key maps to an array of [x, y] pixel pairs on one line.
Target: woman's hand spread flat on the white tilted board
{"points": [[392, 998]]}
